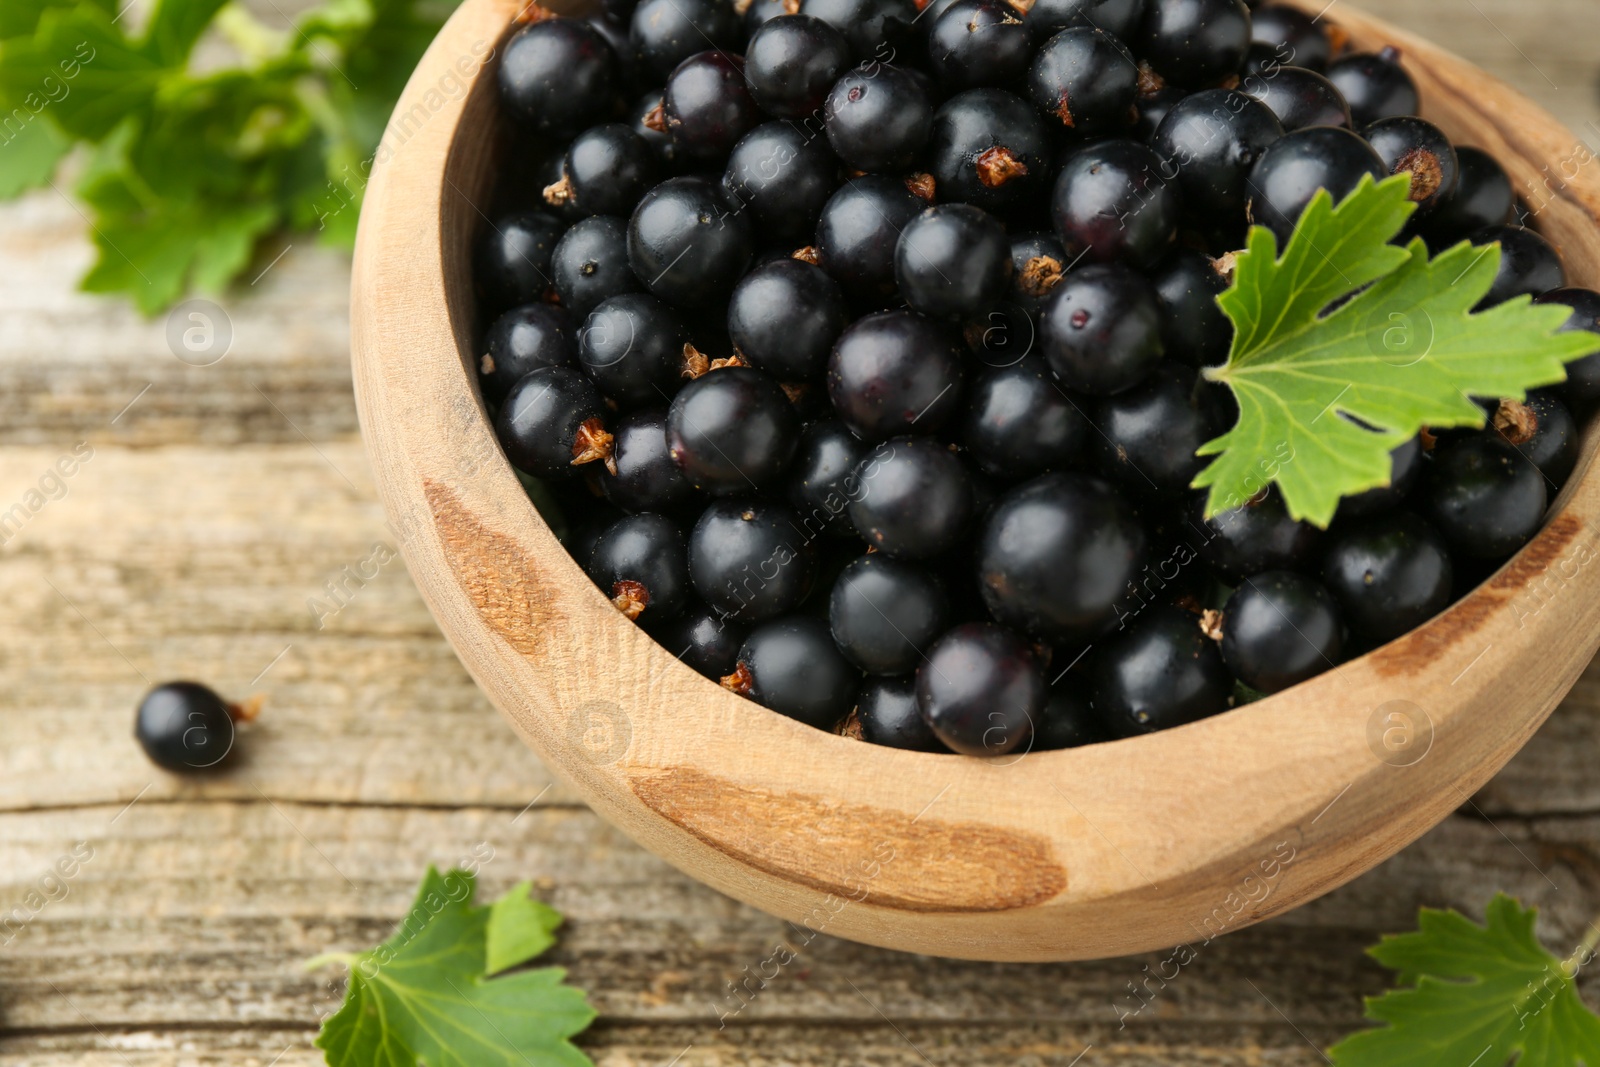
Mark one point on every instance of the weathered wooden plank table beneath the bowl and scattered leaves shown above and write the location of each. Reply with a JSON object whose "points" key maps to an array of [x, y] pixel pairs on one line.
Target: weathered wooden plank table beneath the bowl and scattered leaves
{"points": [[209, 537]]}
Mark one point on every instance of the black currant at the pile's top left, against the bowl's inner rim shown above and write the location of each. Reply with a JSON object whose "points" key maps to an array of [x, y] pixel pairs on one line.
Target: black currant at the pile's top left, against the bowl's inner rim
{"points": [[559, 76]]}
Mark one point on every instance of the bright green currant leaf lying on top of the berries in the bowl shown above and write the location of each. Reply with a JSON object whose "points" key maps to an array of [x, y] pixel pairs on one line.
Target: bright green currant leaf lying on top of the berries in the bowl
{"points": [[1326, 396]]}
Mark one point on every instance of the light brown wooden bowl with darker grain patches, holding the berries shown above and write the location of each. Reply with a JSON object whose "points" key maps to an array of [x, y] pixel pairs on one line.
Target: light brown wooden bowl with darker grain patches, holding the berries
{"points": [[1095, 852]]}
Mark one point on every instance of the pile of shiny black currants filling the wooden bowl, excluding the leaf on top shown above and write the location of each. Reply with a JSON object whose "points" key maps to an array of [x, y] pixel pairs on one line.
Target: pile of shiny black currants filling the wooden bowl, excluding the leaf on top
{"points": [[858, 346]]}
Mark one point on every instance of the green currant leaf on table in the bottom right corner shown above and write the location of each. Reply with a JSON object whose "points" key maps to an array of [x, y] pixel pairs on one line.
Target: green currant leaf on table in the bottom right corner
{"points": [[1479, 996]]}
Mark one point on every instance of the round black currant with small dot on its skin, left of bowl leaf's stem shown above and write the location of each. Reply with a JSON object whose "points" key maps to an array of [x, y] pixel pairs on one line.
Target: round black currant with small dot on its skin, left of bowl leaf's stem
{"points": [[1102, 330]]}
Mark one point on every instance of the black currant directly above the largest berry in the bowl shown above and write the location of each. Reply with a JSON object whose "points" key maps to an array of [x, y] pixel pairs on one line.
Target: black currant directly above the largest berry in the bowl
{"points": [[1022, 423]]}
